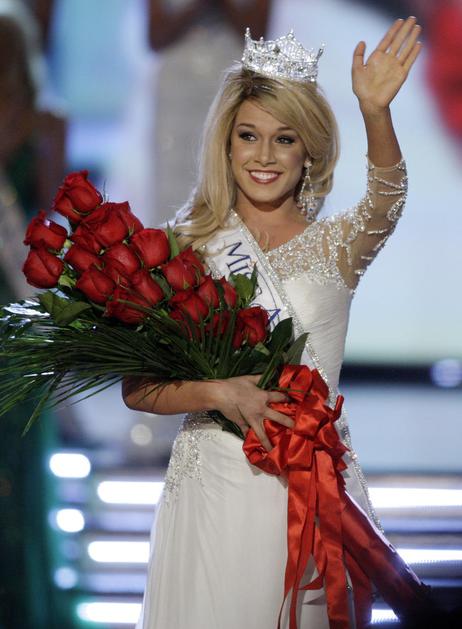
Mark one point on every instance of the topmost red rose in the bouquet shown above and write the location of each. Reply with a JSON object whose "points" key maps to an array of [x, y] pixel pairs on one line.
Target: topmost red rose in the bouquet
{"points": [[76, 197]]}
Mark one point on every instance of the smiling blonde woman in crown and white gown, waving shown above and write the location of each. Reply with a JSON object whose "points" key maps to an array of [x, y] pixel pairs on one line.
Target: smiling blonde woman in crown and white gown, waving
{"points": [[269, 150]]}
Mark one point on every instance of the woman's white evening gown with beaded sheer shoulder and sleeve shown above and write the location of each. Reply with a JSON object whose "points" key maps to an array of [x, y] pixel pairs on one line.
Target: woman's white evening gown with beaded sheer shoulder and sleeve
{"points": [[218, 544]]}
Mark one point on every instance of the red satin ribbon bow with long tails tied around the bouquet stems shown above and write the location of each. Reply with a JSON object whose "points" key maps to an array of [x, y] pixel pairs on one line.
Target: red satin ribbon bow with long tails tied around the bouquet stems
{"points": [[324, 522]]}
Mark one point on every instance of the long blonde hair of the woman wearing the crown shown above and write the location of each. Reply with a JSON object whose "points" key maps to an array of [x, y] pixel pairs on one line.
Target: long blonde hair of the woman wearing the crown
{"points": [[301, 106]]}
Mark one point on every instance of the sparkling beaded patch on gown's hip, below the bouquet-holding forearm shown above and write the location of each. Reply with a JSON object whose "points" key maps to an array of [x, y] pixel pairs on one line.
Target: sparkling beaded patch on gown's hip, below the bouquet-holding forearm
{"points": [[185, 460]]}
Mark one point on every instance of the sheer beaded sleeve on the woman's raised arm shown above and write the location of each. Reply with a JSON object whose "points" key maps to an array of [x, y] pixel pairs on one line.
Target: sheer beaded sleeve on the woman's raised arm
{"points": [[354, 238]]}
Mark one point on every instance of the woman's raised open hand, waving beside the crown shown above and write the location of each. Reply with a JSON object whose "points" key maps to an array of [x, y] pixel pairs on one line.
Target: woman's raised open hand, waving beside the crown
{"points": [[377, 81]]}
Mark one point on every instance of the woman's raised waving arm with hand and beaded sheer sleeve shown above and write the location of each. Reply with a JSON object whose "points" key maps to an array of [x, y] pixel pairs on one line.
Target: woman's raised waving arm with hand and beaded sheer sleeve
{"points": [[355, 238]]}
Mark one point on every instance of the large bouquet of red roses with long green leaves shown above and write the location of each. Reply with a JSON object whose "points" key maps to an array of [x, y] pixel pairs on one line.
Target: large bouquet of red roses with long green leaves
{"points": [[123, 300]]}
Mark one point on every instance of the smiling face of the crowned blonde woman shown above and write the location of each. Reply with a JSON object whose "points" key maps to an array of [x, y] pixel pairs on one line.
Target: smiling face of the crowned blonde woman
{"points": [[267, 159]]}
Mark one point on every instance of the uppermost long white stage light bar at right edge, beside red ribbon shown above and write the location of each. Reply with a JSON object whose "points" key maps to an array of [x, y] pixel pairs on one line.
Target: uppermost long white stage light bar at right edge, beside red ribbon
{"points": [[405, 497]]}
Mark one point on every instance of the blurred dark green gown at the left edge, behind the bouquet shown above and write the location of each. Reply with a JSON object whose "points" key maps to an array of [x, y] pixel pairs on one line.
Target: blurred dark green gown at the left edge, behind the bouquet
{"points": [[28, 597]]}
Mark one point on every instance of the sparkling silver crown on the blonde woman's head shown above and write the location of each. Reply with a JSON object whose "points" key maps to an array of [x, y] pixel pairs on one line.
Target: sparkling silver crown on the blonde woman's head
{"points": [[283, 58]]}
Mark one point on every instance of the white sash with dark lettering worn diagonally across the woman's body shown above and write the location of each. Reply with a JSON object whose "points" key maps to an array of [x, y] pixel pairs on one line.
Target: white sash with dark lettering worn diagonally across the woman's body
{"points": [[234, 250]]}
